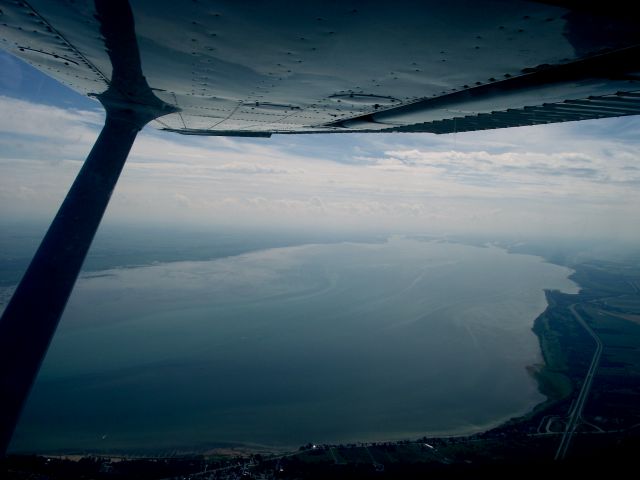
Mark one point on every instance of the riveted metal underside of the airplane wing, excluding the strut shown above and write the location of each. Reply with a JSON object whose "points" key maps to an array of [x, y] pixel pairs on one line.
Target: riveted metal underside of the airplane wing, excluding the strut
{"points": [[258, 68]]}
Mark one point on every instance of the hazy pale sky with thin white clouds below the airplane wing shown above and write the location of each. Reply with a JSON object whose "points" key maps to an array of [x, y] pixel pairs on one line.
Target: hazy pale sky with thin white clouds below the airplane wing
{"points": [[580, 178]]}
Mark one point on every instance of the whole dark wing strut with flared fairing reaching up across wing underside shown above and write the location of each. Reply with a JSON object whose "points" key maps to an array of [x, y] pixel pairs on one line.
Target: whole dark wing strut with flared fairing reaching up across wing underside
{"points": [[31, 317]]}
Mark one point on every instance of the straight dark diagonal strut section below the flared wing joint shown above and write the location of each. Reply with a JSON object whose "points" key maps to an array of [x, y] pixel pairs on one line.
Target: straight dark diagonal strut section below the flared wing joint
{"points": [[32, 315]]}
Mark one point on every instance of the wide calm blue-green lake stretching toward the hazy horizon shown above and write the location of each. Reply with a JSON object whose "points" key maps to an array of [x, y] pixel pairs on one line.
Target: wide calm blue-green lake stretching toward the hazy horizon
{"points": [[316, 343]]}
